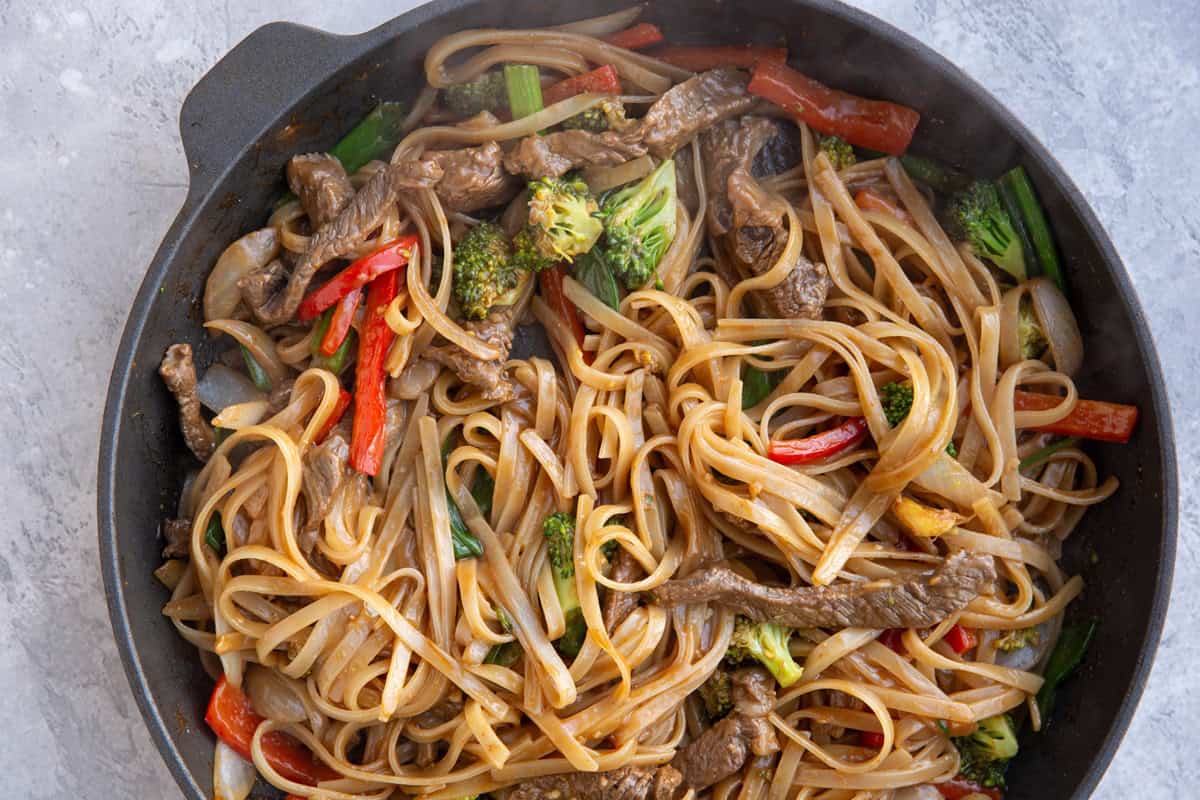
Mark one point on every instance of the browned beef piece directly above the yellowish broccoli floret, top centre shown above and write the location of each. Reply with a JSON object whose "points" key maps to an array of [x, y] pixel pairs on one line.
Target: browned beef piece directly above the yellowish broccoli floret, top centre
{"points": [[556, 154]]}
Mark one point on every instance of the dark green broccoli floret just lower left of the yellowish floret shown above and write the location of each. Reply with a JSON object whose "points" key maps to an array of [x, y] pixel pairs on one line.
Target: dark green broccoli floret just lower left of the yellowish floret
{"points": [[485, 273]]}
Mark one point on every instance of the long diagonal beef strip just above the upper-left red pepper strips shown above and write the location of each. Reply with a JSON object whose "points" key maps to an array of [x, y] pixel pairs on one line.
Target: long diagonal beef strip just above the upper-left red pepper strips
{"points": [[346, 232]]}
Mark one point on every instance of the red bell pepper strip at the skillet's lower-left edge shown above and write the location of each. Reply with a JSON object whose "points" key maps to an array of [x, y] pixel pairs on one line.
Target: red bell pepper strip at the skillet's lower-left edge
{"points": [[233, 720]]}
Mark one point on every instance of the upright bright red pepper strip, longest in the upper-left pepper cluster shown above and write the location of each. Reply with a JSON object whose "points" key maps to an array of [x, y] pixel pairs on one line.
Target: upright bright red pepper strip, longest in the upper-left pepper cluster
{"points": [[370, 406]]}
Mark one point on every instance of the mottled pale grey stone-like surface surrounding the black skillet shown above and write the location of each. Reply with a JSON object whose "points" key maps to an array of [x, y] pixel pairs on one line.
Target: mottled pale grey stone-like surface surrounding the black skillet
{"points": [[92, 175]]}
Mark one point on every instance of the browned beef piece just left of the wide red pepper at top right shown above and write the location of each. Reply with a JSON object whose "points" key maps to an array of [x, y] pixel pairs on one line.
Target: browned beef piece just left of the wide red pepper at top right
{"points": [[695, 105]]}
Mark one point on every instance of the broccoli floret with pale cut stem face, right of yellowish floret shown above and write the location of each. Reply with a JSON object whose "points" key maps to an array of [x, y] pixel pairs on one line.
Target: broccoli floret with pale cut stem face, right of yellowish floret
{"points": [[639, 225]]}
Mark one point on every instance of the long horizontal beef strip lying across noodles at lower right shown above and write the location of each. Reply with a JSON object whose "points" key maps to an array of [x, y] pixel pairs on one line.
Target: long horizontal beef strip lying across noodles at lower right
{"points": [[920, 601]]}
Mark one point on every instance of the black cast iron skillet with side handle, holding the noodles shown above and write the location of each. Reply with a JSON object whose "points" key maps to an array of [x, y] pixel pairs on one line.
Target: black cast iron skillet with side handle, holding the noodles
{"points": [[289, 89]]}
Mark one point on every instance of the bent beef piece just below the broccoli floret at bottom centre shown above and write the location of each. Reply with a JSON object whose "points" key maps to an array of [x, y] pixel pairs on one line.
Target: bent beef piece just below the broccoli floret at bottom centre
{"points": [[724, 749]]}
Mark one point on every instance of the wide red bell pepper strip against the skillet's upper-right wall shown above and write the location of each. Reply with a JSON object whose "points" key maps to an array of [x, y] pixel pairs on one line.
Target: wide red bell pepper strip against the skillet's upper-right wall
{"points": [[872, 124]]}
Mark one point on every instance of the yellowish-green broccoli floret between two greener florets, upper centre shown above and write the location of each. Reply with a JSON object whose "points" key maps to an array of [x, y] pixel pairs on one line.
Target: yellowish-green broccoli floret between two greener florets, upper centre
{"points": [[563, 219]]}
